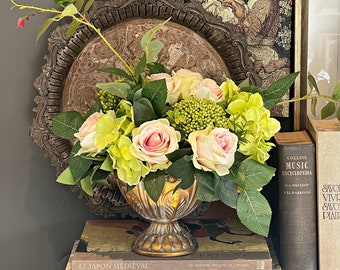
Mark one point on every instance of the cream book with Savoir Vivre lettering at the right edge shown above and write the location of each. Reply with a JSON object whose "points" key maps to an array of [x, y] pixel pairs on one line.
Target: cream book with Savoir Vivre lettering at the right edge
{"points": [[326, 134]]}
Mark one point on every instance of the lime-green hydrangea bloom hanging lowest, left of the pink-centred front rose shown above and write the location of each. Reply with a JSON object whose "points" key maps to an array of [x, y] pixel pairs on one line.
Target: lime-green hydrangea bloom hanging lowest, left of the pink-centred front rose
{"points": [[129, 169]]}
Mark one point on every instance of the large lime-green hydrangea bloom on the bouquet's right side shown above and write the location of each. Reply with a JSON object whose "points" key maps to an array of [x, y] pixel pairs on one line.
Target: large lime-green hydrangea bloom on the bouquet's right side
{"points": [[253, 125]]}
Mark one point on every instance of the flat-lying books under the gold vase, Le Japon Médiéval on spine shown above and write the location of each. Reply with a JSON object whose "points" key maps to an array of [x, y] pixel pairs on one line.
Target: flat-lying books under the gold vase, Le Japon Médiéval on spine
{"points": [[222, 244]]}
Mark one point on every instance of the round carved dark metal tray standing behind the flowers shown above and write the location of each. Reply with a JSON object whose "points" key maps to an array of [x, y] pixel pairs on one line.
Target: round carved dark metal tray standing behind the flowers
{"points": [[193, 39]]}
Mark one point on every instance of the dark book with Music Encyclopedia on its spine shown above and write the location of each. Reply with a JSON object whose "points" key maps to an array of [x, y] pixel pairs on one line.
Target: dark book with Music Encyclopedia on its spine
{"points": [[297, 207]]}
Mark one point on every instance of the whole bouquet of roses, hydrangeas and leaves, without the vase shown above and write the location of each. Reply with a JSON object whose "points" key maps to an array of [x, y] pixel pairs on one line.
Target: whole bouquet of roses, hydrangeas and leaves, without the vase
{"points": [[153, 122]]}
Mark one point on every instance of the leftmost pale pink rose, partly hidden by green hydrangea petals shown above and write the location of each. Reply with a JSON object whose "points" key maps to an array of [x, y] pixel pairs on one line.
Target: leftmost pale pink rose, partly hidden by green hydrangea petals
{"points": [[87, 133]]}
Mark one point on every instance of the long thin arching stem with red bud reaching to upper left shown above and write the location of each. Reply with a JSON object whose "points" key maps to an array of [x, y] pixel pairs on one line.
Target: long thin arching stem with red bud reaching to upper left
{"points": [[69, 11]]}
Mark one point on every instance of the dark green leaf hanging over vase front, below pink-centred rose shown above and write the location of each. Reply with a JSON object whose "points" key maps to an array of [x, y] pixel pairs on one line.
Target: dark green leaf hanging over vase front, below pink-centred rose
{"points": [[154, 183]]}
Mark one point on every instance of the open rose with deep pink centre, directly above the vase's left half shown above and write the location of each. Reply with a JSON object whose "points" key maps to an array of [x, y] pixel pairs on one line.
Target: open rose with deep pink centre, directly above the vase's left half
{"points": [[152, 141]]}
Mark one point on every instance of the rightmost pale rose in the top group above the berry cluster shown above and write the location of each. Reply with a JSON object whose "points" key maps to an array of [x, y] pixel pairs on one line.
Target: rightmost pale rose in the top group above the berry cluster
{"points": [[208, 89]]}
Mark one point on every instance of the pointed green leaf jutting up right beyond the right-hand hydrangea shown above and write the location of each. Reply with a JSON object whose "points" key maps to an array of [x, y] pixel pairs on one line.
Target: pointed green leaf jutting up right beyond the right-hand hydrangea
{"points": [[273, 94]]}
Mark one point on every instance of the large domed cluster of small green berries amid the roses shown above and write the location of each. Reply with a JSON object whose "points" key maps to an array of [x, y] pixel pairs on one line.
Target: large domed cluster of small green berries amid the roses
{"points": [[195, 113]]}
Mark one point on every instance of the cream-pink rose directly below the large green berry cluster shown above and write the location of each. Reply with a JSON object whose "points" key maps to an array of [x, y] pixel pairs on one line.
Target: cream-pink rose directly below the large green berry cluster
{"points": [[214, 149]]}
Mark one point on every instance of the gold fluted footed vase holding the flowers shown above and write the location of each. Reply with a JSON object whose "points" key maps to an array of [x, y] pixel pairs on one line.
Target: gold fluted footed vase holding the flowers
{"points": [[164, 237]]}
